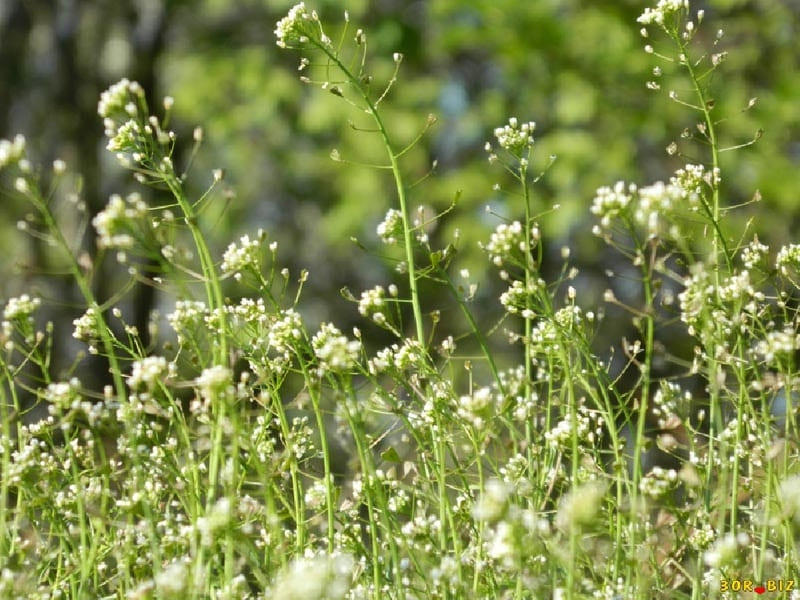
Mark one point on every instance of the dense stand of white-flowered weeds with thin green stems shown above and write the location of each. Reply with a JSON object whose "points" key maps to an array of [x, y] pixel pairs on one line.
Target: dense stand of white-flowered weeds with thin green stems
{"points": [[245, 454]]}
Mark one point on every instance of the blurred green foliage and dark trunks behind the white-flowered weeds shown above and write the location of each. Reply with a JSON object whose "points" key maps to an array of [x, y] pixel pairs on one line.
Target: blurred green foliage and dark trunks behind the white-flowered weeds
{"points": [[575, 67]]}
